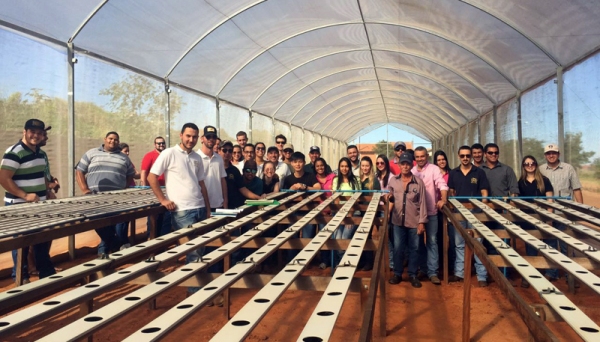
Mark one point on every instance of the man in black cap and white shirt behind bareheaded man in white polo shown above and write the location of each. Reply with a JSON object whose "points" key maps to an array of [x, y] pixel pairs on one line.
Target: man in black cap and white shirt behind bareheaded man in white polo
{"points": [[214, 170]]}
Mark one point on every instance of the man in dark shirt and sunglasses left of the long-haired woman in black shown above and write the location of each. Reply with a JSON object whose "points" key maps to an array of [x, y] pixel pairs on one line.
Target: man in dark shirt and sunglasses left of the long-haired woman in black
{"points": [[502, 178]]}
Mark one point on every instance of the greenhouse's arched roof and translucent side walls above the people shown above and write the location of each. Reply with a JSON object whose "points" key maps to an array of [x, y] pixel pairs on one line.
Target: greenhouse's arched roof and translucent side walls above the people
{"points": [[521, 74]]}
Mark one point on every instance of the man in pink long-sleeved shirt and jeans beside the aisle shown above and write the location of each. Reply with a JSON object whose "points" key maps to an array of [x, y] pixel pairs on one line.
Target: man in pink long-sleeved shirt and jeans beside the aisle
{"points": [[436, 194]]}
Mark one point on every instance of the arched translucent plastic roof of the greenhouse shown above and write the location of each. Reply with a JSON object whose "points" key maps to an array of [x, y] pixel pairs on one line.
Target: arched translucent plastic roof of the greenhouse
{"points": [[339, 68]]}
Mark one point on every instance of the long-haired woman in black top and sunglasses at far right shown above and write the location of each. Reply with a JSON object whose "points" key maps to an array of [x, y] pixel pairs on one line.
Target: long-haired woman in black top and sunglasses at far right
{"points": [[533, 183]]}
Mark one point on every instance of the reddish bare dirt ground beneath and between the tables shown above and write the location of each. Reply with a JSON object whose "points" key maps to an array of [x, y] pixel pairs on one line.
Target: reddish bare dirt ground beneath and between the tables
{"points": [[431, 313]]}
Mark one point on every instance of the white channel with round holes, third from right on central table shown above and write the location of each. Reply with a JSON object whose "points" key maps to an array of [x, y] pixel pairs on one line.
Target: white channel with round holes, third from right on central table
{"points": [[172, 318]]}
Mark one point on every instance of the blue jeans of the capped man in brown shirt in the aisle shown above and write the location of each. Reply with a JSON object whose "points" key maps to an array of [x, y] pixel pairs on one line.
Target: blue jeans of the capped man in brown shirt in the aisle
{"points": [[405, 239]]}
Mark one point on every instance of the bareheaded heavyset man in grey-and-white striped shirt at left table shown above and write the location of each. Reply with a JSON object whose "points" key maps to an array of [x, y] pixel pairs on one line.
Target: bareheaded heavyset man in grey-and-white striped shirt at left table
{"points": [[104, 169]]}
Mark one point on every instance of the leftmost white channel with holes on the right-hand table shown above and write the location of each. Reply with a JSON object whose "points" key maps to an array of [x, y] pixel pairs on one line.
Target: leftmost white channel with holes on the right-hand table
{"points": [[587, 329]]}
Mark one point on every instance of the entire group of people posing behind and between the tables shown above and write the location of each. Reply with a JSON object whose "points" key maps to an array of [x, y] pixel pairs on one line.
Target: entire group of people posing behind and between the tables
{"points": [[223, 174]]}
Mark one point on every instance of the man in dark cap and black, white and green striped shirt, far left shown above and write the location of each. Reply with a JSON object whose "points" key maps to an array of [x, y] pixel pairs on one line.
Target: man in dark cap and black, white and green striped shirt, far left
{"points": [[22, 176]]}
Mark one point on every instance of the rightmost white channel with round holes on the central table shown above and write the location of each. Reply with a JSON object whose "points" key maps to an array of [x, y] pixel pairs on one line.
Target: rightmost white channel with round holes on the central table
{"points": [[322, 321]]}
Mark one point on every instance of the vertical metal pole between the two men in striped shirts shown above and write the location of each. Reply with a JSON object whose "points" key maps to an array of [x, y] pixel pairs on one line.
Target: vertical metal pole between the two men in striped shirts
{"points": [[71, 135]]}
